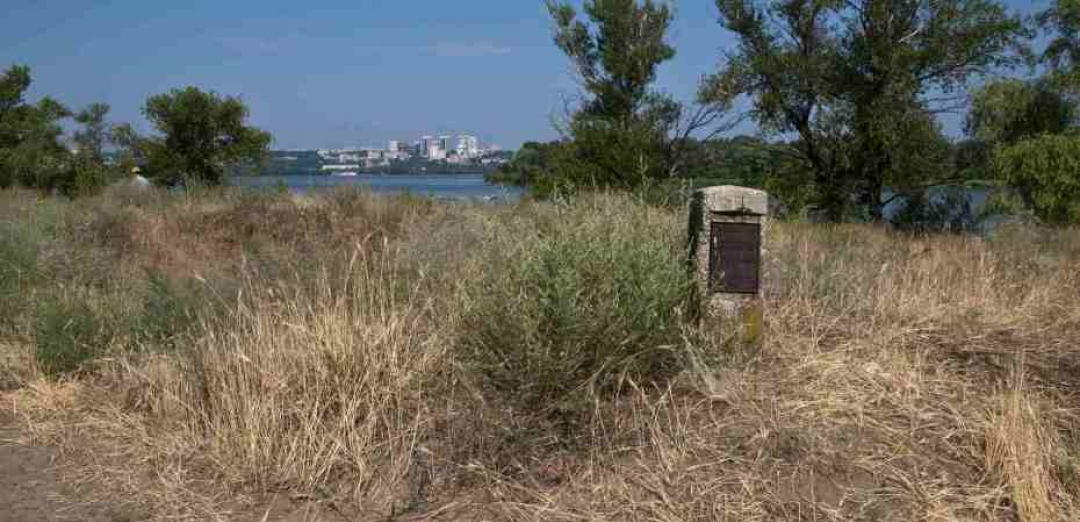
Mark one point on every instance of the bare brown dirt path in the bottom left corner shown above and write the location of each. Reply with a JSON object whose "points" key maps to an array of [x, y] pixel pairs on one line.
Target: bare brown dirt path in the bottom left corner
{"points": [[30, 488]]}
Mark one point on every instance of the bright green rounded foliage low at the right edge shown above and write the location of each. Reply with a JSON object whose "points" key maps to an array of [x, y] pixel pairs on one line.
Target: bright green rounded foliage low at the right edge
{"points": [[1045, 172]]}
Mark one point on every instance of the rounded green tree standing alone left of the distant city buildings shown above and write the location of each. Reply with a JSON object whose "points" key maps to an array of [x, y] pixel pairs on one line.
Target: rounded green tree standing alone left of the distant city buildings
{"points": [[204, 137]]}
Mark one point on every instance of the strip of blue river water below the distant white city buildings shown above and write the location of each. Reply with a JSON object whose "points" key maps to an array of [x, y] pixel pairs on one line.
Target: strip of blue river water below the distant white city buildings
{"points": [[442, 186]]}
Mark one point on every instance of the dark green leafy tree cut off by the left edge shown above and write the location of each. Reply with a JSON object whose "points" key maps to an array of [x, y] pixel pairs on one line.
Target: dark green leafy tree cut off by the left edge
{"points": [[31, 151]]}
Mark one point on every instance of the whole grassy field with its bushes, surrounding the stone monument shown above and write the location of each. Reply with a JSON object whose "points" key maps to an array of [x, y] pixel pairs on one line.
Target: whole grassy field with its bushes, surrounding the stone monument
{"points": [[232, 356]]}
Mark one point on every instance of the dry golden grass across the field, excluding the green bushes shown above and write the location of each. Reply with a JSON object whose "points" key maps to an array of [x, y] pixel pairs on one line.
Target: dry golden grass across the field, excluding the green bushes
{"points": [[903, 379]]}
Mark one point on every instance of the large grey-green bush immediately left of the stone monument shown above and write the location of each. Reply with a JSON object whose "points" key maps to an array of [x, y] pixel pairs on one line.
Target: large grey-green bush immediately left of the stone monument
{"points": [[576, 302]]}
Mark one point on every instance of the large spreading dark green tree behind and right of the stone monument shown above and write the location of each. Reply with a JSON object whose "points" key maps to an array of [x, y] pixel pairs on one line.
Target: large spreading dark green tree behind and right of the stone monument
{"points": [[860, 83]]}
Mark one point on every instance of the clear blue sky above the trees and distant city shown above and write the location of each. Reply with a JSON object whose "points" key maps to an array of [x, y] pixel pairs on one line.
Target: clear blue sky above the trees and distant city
{"points": [[332, 73]]}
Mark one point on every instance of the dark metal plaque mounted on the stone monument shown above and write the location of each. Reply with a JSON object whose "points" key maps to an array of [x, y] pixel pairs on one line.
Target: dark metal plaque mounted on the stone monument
{"points": [[735, 258]]}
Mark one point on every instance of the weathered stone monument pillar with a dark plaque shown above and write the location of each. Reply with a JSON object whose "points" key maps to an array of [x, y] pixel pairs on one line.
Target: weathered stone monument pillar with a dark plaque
{"points": [[727, 232]]}
